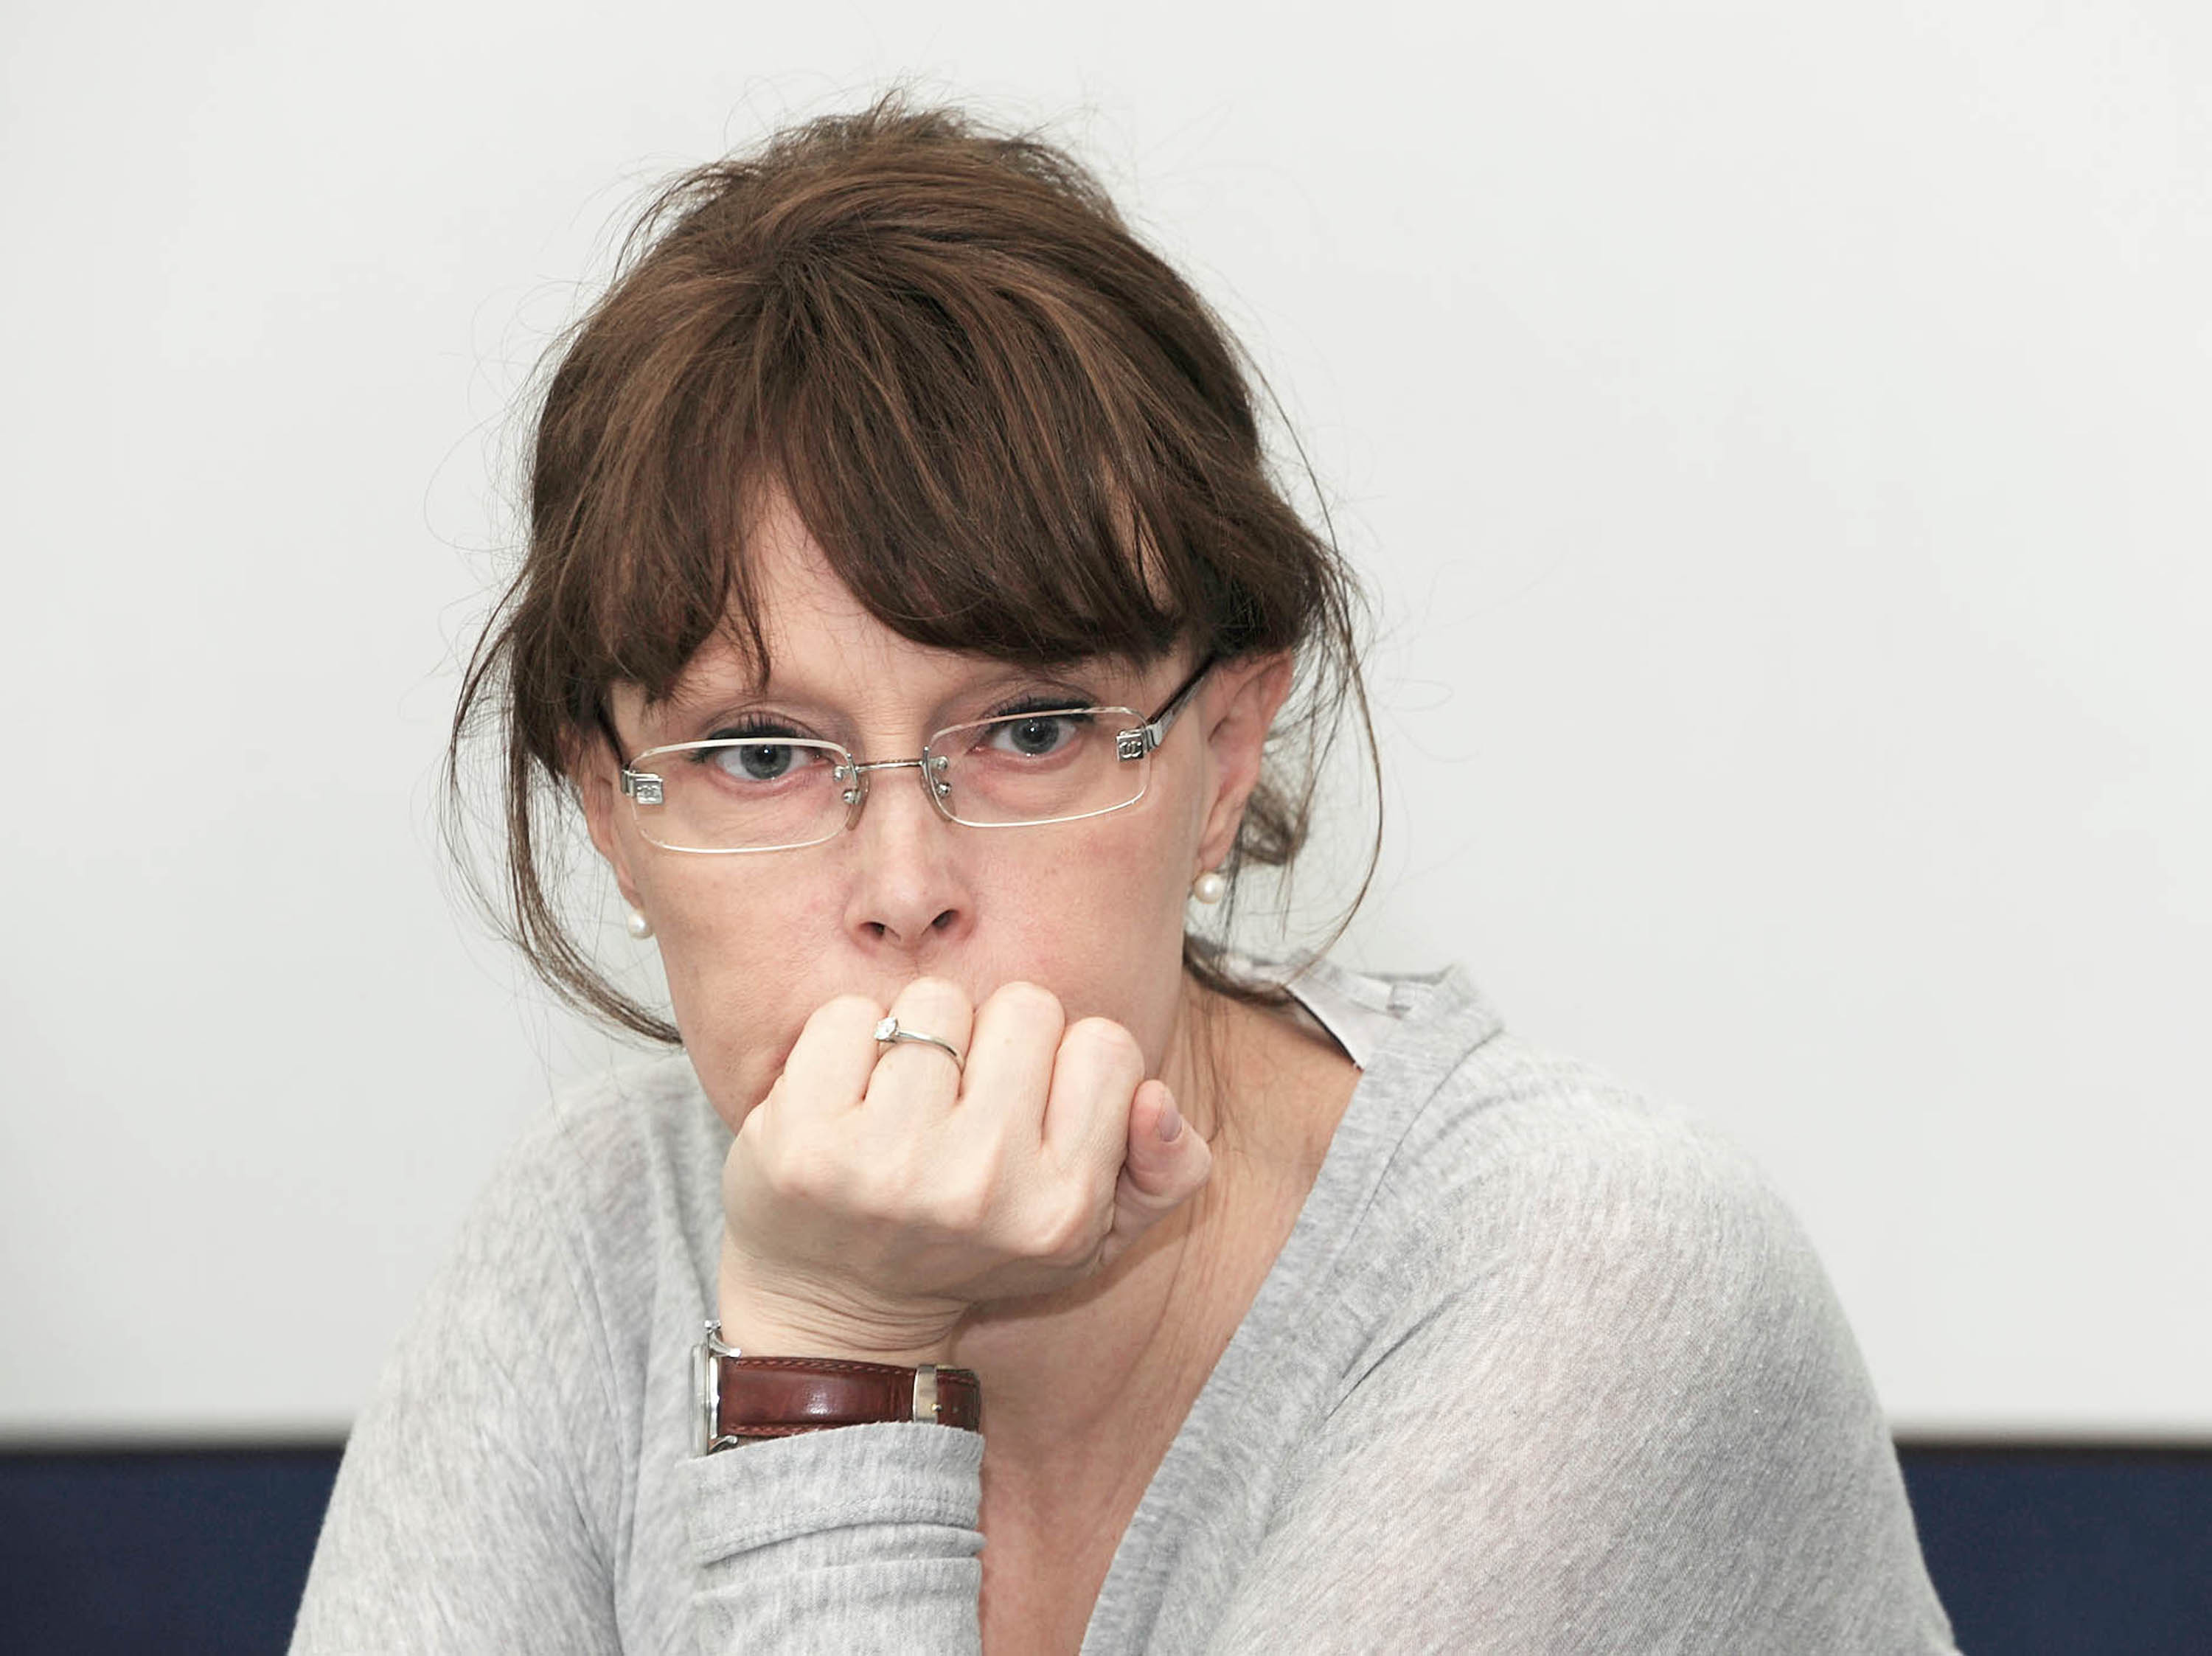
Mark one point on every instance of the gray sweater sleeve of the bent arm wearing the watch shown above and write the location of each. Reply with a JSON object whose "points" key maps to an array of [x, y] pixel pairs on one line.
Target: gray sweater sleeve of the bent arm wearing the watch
{"points": [[490, 1496]]}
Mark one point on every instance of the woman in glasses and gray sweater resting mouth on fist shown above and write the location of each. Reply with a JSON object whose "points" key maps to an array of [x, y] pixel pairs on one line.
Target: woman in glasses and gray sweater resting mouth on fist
{"points": [[912, 620]]}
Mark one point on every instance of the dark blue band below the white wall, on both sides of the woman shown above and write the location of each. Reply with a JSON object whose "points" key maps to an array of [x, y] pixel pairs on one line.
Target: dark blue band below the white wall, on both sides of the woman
{"points": [[2034, 1551]]}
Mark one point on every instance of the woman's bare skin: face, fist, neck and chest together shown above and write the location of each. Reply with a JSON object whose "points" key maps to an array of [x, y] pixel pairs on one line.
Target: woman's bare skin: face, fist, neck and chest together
{"points": [[1081, 1215]]}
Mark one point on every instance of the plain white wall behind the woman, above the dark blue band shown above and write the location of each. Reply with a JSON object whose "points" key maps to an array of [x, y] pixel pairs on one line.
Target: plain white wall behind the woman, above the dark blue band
{"points": [[1777, 439]]}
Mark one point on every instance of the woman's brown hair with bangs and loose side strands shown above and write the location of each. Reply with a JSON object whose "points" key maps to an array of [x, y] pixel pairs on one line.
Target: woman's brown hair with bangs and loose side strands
{"points": [[1010, 426]]}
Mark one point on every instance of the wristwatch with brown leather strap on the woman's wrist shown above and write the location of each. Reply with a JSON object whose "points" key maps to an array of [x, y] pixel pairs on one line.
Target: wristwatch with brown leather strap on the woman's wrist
{"points": [[747, 1398]]}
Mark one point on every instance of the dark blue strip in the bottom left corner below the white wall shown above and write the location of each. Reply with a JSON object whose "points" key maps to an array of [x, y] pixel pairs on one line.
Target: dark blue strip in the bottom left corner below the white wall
{"points": [[176, 1551]]}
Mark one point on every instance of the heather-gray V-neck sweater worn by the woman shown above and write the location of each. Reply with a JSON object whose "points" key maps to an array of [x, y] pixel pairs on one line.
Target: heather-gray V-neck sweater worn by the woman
{"points": [[1543, 1367]]}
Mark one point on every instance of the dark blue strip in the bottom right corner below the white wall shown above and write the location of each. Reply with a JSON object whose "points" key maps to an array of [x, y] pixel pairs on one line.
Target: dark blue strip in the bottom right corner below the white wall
{"points": [[2069, 1551]]}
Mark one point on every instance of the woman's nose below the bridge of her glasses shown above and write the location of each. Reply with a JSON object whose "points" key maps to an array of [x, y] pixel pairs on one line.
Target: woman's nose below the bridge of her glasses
{"points": [[910, 892]]}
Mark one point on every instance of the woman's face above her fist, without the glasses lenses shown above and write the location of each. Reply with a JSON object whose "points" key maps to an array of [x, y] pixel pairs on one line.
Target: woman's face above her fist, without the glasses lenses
{"points": [[1092, 910]]}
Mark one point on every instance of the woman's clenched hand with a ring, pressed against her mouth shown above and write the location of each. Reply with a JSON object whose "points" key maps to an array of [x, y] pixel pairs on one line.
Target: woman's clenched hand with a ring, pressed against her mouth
{"points": [[875, 1195]]}
